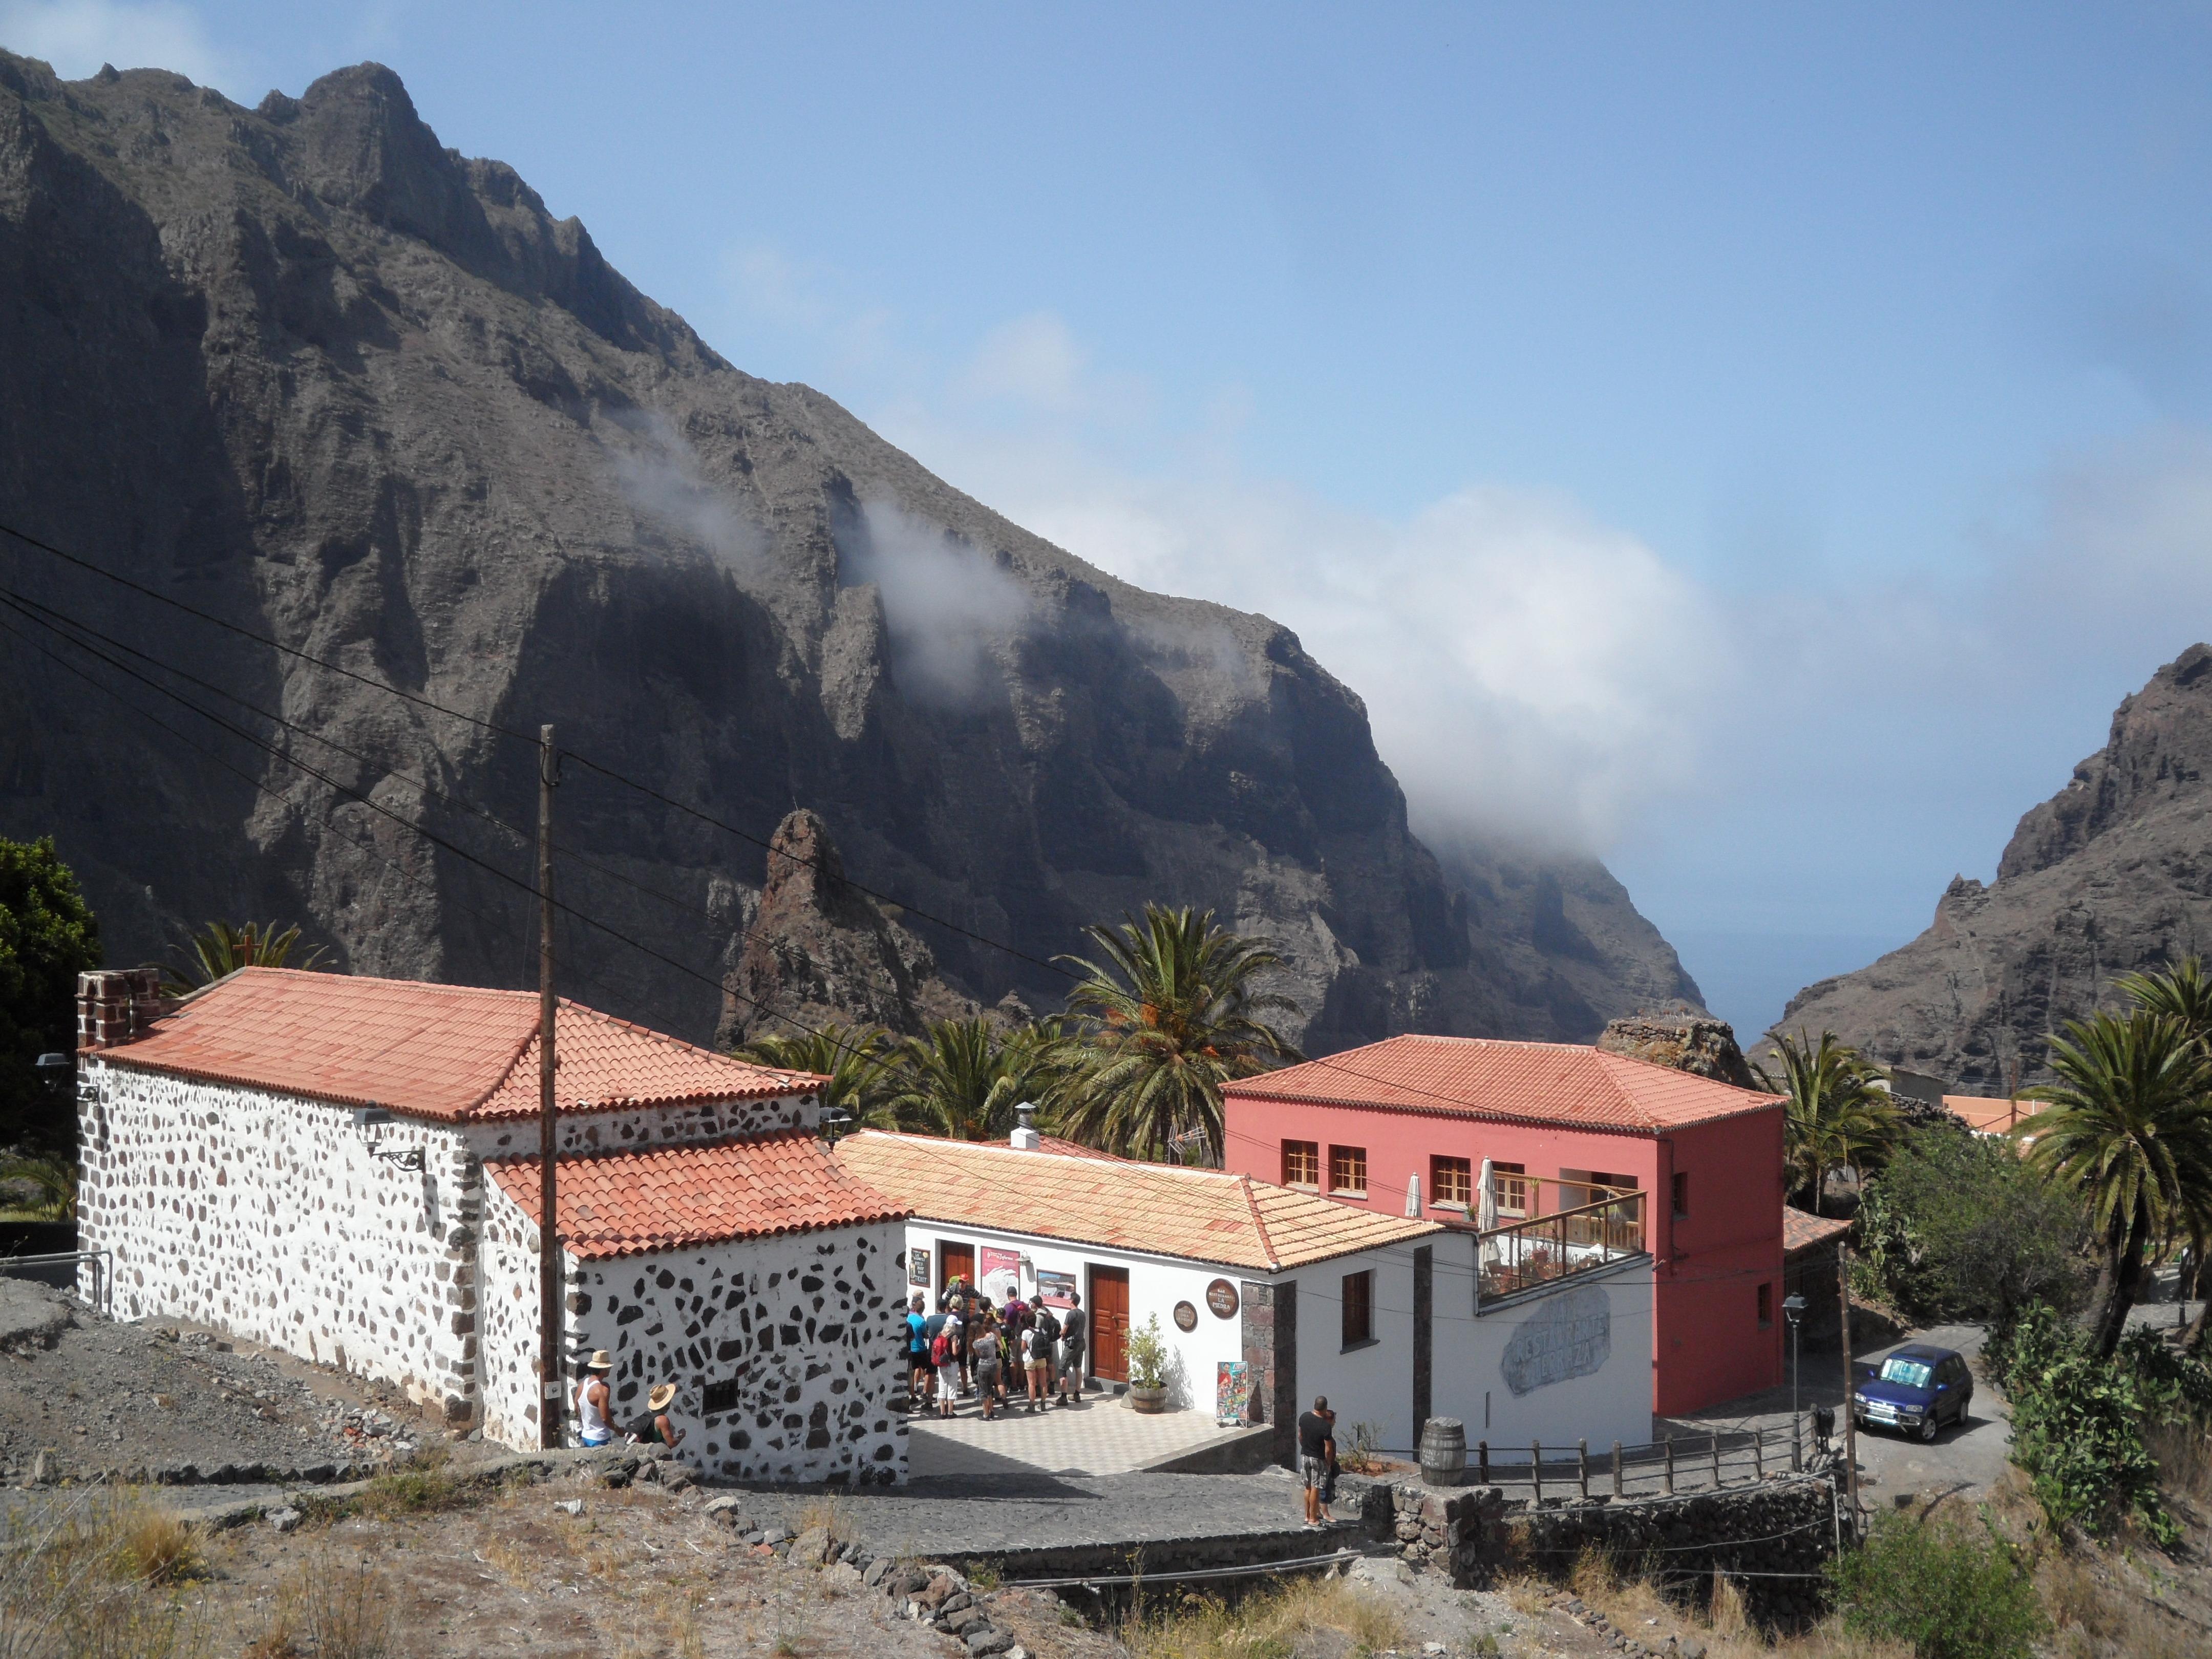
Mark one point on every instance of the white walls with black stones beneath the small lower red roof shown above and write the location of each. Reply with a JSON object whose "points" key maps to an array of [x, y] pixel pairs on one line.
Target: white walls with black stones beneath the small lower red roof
{"points": [[804, 1324]]}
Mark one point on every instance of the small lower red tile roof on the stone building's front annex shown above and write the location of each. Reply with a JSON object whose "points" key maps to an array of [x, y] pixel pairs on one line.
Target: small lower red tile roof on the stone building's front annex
{"points": [[627, 1204]]}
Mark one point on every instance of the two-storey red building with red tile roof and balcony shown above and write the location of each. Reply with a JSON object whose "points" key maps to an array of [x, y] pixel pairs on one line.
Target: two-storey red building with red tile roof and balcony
{"points": [[1598, 1165]]}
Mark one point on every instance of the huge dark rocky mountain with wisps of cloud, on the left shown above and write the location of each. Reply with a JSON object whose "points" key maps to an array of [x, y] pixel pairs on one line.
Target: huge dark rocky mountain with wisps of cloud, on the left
{"points": [[317, 377]]}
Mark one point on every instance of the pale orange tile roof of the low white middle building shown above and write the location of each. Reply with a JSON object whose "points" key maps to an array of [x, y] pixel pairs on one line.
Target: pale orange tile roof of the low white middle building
{"points": [[1156, 1209]]}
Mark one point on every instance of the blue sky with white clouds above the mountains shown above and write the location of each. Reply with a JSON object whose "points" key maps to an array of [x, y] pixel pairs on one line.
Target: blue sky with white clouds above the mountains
{"points": [[1757, 446]]}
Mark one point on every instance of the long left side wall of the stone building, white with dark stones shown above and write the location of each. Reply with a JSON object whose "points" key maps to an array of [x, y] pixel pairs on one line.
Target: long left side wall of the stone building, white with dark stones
{"points": [[269, 1218]]}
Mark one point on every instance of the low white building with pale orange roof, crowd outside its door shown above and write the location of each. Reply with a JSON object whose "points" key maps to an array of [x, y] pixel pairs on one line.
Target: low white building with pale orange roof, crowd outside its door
{"points": [[1308, 1297]]}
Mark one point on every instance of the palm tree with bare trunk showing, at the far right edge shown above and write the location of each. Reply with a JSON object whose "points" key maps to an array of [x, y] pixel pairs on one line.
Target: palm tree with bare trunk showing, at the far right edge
{"points": [[2131, 1131]]}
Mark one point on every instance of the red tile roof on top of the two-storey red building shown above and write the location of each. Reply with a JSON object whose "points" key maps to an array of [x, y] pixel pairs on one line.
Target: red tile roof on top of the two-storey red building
{"points": [[1521, 1083]]}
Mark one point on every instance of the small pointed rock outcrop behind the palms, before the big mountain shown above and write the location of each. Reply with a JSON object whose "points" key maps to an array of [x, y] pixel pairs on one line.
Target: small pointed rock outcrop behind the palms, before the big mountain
{"points": [[822, 950]]}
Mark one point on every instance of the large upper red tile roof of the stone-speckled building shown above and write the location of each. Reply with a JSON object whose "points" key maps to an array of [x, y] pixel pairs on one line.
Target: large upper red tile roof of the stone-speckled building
{"points": [[448, 1052]]}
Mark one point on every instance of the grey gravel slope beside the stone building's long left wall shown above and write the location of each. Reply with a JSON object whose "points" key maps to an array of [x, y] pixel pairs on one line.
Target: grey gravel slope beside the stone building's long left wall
{"points": [[178, 1406]]}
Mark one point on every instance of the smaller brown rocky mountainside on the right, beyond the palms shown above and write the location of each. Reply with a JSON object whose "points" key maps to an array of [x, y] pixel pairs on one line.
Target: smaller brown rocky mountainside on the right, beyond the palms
{"points": [[2109, 875]]}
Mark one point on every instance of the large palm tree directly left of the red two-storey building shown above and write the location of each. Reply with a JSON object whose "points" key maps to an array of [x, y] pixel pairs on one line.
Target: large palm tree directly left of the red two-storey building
{"points": [[1162, 1023]]}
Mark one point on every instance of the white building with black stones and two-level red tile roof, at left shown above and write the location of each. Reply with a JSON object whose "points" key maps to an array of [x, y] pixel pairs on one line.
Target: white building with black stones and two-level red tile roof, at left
{"points": [[346, 1169]]}
